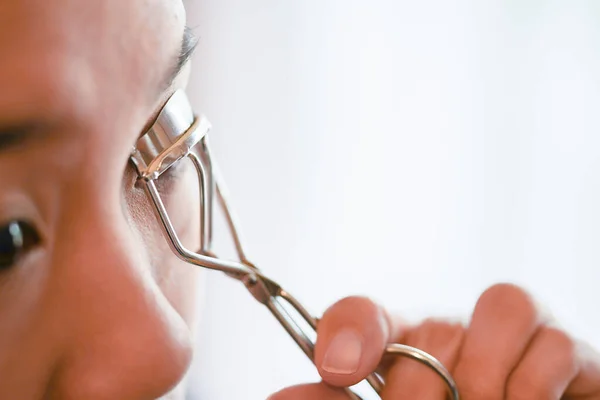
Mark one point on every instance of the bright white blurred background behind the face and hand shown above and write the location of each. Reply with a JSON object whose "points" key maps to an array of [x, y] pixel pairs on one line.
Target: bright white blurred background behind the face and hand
{"points": [[412, 151]]}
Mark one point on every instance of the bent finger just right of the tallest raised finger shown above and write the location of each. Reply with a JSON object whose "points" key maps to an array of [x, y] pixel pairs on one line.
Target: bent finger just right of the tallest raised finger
{"points": [[549, 365]]}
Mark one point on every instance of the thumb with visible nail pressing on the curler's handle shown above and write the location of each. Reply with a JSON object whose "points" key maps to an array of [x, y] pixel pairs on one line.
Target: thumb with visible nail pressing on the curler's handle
{"points": [[351, 339]]}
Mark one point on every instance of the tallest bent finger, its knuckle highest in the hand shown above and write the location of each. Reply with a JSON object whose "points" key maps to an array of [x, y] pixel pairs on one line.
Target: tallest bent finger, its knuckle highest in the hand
{"points": [[502, 326]]}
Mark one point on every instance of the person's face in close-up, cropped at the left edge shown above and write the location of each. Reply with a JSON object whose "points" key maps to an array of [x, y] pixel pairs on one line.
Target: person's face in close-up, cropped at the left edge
{"points": [[93, 304]]}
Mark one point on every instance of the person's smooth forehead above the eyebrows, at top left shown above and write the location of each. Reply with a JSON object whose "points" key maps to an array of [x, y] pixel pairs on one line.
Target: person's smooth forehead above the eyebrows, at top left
{"points": [[73, 56]]}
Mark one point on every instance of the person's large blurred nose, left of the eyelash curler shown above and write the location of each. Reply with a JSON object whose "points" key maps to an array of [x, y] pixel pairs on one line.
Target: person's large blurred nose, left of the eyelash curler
{"points": [[123, 339]]}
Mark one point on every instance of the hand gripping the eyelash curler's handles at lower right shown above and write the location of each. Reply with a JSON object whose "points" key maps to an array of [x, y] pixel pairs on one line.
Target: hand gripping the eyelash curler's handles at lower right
{"points": [[510, 350]]}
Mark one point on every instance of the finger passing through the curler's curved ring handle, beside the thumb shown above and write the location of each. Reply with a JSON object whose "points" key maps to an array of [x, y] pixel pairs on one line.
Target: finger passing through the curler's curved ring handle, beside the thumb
{"points": [[408, 379]]}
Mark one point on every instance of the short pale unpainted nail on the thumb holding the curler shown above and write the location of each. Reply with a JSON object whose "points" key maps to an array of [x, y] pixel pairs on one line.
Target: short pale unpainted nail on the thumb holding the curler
{"points": [[344, 353]]}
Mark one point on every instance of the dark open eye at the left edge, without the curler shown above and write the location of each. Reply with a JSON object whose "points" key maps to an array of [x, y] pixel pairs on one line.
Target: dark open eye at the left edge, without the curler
{"points": [[16, 239]]}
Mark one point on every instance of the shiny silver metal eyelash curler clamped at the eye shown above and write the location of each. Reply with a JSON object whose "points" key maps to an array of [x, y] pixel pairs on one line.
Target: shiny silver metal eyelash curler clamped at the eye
{"points": [[177, 134]]}
